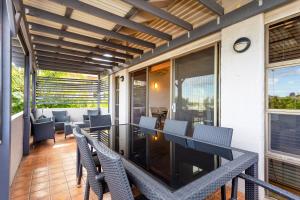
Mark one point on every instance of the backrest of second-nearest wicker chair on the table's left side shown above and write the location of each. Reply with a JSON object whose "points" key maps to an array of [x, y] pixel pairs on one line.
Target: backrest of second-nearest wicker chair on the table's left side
{"points": [[88, 163]]}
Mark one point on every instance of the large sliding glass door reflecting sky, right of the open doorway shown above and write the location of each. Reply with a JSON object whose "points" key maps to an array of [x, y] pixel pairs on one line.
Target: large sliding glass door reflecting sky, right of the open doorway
{"points": [[195, 88]]}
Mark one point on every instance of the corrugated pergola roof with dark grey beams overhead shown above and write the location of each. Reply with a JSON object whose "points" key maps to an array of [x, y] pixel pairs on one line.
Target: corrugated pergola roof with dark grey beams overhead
{"points": [[84, 32]]}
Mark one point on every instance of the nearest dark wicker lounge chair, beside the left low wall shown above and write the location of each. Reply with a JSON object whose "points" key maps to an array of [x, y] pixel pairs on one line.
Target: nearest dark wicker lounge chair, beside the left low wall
{"points": [[42, 129]]}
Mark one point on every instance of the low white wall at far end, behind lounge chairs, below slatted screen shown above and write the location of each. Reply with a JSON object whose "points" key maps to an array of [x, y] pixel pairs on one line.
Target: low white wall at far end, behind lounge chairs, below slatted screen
{"points": [[75, 113]]}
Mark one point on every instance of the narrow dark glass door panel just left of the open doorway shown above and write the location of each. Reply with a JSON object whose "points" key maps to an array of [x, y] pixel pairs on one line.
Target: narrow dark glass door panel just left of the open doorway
{"points": [[138, 95]]}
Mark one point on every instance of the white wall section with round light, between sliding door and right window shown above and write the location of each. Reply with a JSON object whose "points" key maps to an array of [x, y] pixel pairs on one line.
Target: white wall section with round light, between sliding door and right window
{"points": [[242, 87]]}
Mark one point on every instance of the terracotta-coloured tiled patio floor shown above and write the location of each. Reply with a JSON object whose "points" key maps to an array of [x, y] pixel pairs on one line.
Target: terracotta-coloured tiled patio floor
{"points": [[49, 173]]}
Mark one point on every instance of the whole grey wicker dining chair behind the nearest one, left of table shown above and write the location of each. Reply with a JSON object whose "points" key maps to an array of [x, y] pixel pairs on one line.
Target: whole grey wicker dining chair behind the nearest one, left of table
{"points": [[95, 179]]}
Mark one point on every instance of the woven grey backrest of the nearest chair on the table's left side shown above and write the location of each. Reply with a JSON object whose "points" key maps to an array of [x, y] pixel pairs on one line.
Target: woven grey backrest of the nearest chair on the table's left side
{"points": [[114, 172]]}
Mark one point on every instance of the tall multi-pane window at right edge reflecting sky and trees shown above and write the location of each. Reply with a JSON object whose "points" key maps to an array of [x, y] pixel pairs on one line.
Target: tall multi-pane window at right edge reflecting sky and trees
{"points": [[283, 105]]}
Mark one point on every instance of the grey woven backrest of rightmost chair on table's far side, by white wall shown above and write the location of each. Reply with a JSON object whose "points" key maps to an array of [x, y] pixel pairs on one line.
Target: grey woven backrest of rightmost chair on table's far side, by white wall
{"points": [[212, 134]]}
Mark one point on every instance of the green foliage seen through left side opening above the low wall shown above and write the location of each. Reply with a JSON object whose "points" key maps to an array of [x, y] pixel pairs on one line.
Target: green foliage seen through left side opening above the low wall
{"points": [[17, 89]]}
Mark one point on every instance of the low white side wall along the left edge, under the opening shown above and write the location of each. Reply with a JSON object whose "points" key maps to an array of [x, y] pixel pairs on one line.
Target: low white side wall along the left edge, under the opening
{"points": [[16, 143]]}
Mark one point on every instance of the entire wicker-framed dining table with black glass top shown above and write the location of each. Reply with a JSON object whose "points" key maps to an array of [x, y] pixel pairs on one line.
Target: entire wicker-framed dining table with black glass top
{"points": [[172, 166]]}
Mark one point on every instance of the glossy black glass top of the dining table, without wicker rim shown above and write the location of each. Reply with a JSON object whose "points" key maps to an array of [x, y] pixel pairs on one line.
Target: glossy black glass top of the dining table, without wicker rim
{"points": [[175, 161]]}
